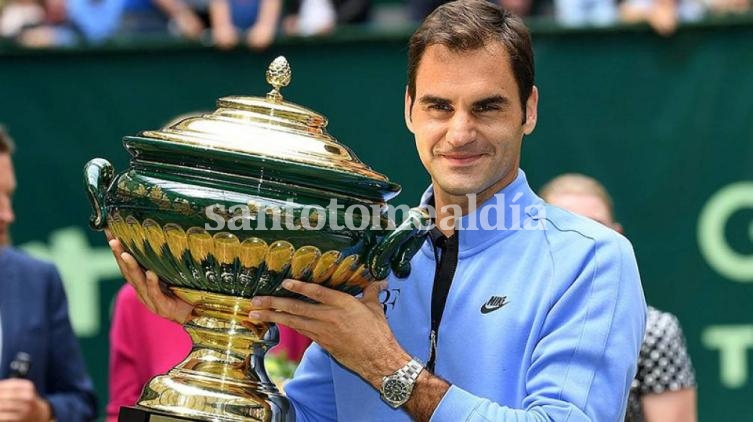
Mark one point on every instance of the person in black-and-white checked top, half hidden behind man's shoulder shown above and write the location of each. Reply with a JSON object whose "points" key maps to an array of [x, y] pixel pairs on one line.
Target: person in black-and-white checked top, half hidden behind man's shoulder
{"points": [[664, 387]]}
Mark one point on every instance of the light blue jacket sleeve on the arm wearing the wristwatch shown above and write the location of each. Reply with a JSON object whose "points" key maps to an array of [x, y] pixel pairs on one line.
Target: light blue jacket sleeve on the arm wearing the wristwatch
{"points": [[586, 353]]}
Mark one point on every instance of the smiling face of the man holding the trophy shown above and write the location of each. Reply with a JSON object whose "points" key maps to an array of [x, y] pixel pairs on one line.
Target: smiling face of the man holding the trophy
{"points": [[468, 121]]}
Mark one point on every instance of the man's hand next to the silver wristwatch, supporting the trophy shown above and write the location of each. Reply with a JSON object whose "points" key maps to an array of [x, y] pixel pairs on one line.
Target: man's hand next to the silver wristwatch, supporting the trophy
{"points": [[353, 330]]}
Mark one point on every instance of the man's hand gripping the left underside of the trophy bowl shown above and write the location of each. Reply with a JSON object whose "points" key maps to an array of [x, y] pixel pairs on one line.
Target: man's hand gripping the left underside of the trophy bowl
{"points": [[147, 286]]}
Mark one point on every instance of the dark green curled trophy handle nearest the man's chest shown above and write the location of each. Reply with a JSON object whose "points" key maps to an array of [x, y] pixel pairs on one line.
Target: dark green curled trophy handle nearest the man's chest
{"points": [[397, 248]]}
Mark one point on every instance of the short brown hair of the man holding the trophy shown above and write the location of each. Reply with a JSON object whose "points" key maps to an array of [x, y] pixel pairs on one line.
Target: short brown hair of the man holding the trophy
{"points": [[466, 25]]}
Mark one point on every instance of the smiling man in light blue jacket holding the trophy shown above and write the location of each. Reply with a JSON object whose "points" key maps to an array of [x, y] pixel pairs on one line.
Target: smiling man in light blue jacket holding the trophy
{"points": [[537, 315]]}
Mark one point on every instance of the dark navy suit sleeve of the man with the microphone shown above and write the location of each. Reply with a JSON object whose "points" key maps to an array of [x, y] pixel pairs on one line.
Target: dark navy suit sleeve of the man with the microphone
{"points": [[69, 389]]}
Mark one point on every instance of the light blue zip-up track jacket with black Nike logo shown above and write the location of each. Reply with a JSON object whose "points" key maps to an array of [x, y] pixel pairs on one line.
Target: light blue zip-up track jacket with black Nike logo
{"points": [[563, 347]]}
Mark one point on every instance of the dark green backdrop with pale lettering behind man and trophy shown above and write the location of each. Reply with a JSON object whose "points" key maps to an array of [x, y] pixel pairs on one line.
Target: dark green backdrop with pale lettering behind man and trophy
{"points": [[665, 123]]}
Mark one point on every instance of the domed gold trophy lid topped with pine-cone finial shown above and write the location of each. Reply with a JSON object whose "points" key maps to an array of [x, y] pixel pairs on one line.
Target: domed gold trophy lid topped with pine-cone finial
{"points": [[268, 133]]}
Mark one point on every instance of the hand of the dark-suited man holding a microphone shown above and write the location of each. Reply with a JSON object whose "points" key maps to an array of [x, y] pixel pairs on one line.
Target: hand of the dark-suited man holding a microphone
{"points": [[19, 402]]}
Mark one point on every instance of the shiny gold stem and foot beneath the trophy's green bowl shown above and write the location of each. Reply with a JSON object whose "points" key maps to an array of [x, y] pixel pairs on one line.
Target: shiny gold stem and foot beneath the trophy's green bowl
{"points": [[224, 374]]}
